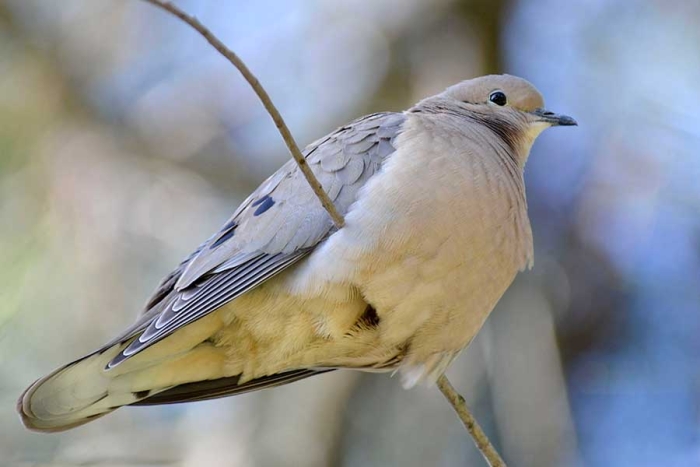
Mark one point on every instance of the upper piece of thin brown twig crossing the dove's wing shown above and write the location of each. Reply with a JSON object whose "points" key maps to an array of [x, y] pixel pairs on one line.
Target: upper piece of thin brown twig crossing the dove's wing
{"points": [[265, 99]]}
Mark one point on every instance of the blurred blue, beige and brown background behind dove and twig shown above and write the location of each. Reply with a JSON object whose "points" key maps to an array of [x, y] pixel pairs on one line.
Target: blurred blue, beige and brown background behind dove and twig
{"points": [[125, 140]]}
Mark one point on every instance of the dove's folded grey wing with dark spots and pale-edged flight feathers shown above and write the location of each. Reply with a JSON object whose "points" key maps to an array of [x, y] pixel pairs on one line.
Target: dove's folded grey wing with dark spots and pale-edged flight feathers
{"points": [[276, 226]]}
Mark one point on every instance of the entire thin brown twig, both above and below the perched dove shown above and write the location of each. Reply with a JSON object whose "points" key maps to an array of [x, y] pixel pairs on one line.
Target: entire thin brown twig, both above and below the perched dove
{"points": [[456, 400]]}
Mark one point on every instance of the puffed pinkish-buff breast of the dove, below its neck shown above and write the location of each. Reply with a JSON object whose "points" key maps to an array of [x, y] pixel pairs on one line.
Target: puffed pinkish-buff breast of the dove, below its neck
{"points": [[433, 240]]}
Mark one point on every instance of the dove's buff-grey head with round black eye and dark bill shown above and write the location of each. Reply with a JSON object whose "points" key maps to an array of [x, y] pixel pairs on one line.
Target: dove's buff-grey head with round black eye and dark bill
{"points": [[509, 107]]}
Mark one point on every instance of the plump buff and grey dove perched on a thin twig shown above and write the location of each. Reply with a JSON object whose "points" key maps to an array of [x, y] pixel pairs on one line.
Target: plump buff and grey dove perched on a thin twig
{"points": [[436, 229]]}
